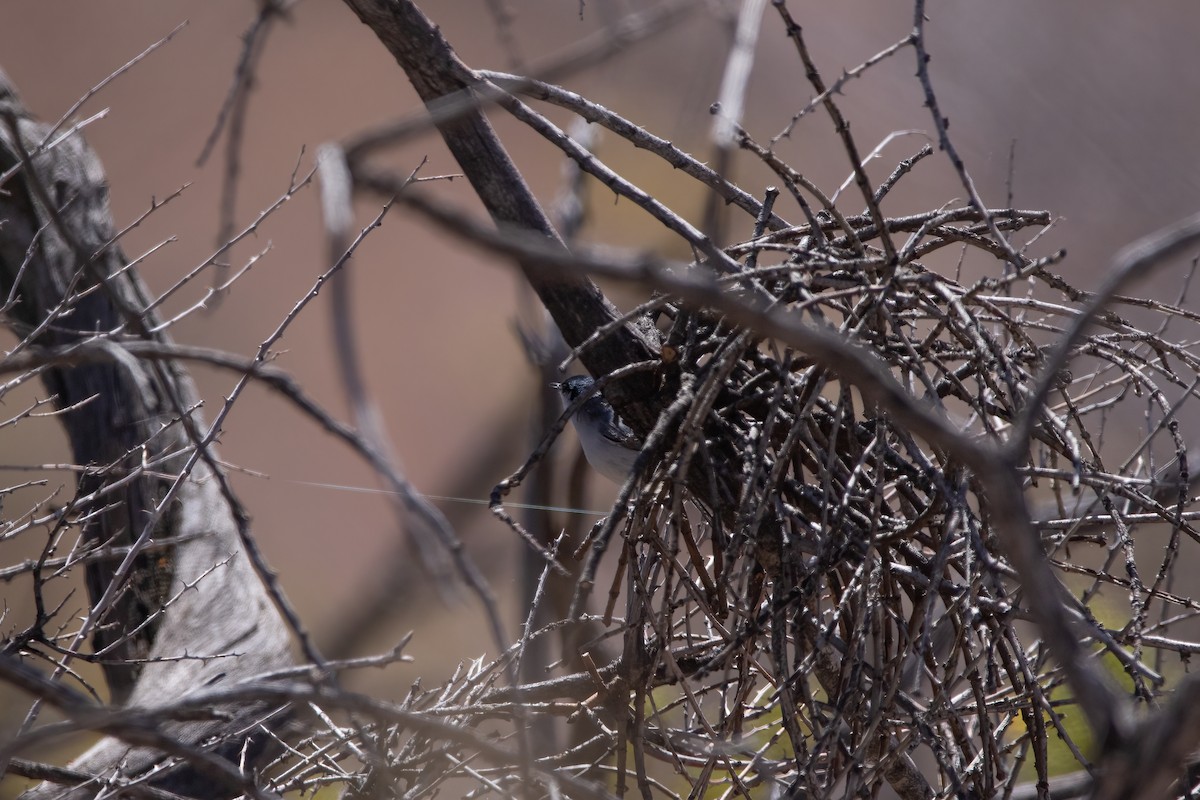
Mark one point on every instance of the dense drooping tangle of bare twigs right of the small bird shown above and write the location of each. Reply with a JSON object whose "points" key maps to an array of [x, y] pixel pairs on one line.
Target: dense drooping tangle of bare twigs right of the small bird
{"points": [[808, 597]]}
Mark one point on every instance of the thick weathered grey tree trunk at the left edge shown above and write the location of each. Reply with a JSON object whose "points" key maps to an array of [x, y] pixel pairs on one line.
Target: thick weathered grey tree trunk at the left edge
{"points": [[202, 597]]}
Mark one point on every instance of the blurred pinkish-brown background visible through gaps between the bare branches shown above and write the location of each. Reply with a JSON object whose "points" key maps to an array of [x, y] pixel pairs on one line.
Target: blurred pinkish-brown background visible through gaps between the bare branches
{"points": [[1099, 98]]}
